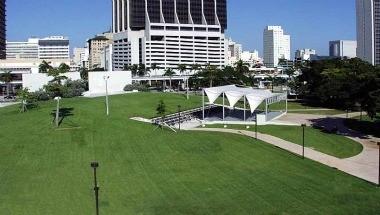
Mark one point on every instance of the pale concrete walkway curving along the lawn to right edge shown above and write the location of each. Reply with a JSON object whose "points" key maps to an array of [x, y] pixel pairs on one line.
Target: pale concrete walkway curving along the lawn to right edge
{"points": [[363, 166]]}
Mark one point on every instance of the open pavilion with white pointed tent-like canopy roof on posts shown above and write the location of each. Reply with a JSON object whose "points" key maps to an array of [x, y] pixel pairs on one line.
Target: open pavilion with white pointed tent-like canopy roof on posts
{"points": [[233, 94]]}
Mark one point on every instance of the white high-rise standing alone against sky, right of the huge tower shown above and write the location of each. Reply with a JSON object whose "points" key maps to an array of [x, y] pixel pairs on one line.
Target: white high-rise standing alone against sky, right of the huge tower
{"points": [[276, 45]]}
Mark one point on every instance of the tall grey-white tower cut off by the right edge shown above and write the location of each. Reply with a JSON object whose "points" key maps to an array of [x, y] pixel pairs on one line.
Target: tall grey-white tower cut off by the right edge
{"points": [[368, 30]]}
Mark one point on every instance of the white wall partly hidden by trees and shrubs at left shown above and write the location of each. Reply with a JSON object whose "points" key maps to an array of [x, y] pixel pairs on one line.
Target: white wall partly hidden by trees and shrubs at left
{"points": [[36, 81]]}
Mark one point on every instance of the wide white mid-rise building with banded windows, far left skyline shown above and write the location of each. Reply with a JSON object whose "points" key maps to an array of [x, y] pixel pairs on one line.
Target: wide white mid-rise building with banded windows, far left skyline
{"points": [[49, 48]]}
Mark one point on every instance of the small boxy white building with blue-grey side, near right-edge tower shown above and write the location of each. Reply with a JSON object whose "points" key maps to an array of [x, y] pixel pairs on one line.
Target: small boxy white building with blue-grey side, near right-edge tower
{"points": [[343, 48]]}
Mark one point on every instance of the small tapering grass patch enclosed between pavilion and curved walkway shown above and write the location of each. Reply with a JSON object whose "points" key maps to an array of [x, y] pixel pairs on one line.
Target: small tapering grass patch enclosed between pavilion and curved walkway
{"points": [[331, 144]]}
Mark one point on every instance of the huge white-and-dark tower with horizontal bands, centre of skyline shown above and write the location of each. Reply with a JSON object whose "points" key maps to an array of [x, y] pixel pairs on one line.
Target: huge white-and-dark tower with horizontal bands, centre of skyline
{"points": [[169, 32]]}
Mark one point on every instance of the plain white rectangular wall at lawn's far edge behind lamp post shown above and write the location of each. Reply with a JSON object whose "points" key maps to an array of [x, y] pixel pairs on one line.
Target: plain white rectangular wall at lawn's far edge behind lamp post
{"points": [[116, 82]]}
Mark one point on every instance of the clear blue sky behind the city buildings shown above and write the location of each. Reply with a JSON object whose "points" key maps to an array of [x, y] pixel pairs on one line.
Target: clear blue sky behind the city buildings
{"points": [[311, 23]]}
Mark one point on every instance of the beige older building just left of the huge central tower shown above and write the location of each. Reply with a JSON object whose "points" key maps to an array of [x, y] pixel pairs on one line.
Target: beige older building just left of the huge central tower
{"points": [[96, 46]]}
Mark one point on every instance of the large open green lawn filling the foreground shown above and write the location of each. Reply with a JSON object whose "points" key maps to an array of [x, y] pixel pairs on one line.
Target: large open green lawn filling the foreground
{"points": [[147, 171]]}
